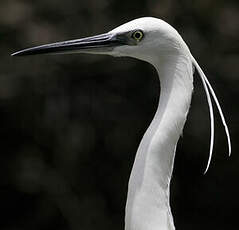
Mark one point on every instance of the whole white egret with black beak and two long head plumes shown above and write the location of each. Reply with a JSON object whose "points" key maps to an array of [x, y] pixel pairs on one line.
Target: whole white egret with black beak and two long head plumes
{"points": [[154, 41]]}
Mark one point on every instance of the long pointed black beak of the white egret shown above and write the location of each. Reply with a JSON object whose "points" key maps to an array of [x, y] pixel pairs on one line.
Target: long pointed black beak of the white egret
{"points": [[101, 44]]}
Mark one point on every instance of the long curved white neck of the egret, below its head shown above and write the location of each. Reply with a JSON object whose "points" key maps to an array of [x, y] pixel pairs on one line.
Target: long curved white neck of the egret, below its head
{"points": [[147, 205]]}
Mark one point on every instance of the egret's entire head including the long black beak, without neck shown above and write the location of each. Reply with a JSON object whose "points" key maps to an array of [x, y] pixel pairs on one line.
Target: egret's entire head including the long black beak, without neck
{"points": [[144, 38]]}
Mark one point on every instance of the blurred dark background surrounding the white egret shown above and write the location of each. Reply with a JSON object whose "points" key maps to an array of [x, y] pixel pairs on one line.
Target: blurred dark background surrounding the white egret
{"points": [[71, 124]]}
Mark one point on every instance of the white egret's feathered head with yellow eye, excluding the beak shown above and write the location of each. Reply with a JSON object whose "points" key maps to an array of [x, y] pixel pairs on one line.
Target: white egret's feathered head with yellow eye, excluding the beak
{"points": [[148, 39]]}
